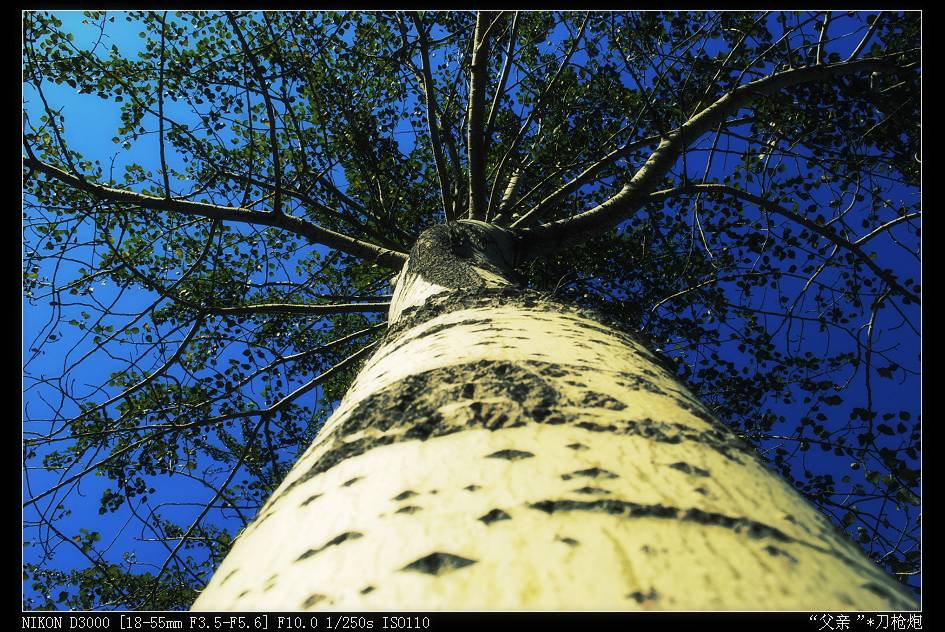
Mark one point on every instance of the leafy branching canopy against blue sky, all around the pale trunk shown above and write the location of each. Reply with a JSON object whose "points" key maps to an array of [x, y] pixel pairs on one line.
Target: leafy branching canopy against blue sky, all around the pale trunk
{"points": [[741, 188]]}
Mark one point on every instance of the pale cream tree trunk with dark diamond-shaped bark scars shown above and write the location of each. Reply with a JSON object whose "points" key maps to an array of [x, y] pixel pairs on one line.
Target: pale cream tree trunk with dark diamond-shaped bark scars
{"points": [[502, 451]]}
